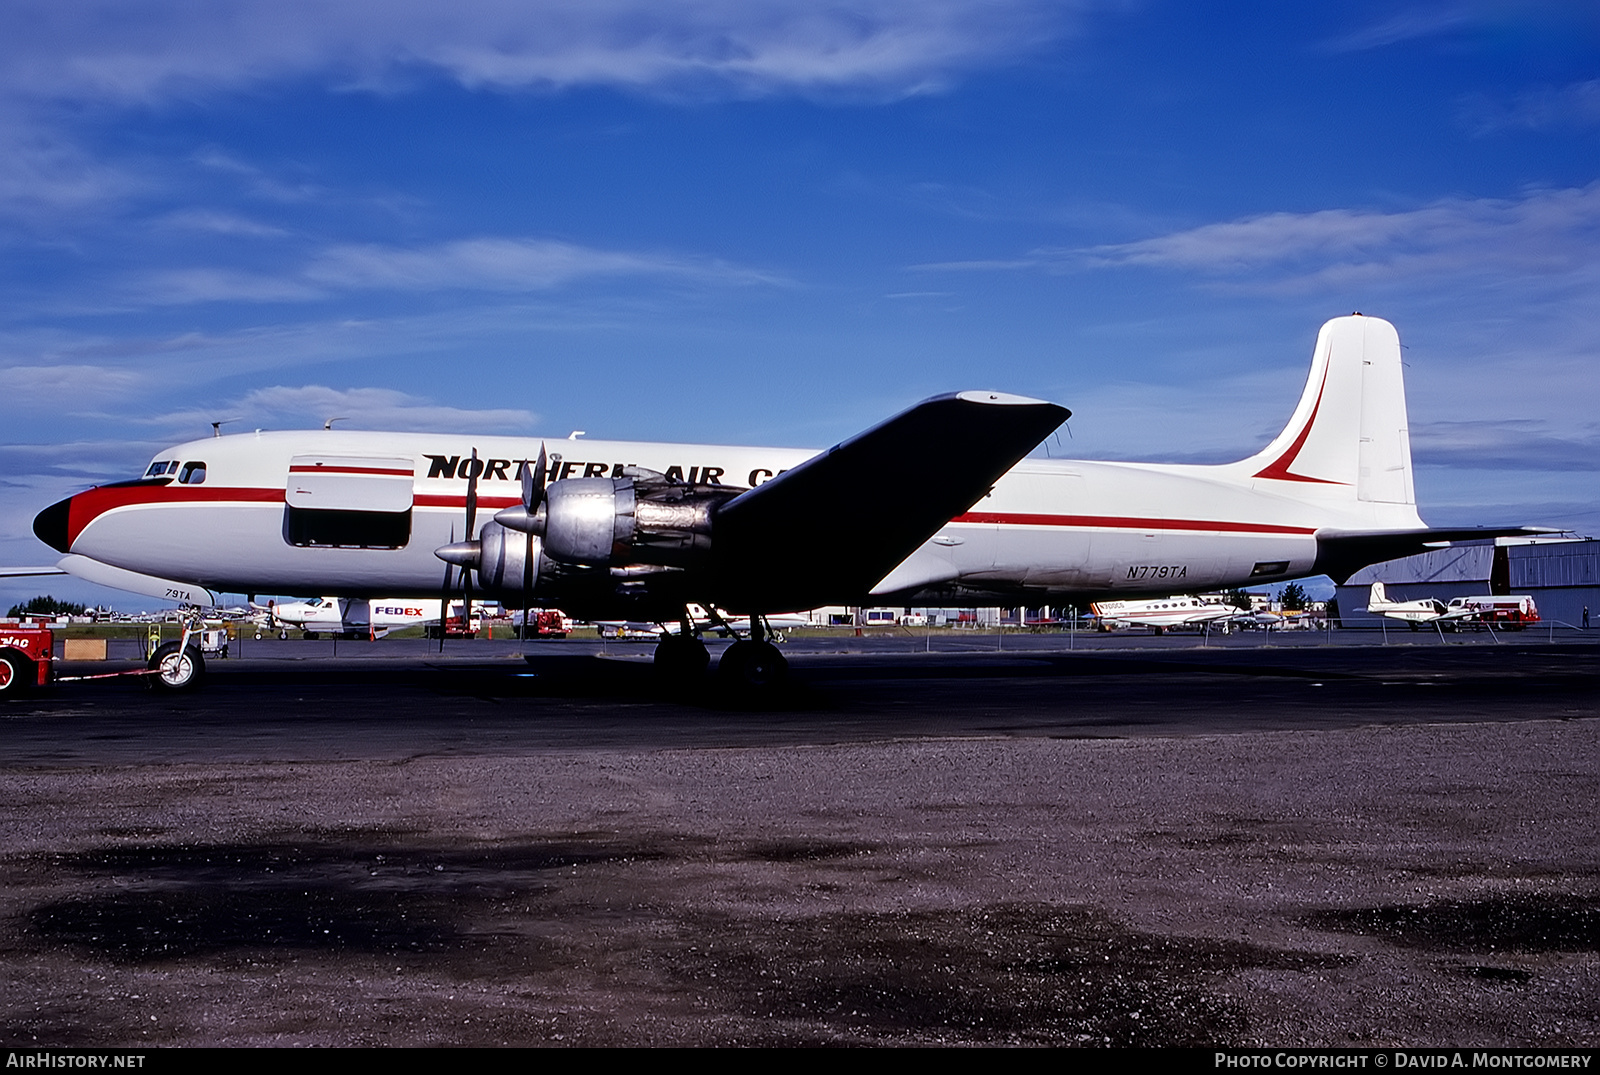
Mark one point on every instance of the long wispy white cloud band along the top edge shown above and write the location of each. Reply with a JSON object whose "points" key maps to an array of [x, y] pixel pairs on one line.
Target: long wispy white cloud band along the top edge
{"points": [[116, 52]]}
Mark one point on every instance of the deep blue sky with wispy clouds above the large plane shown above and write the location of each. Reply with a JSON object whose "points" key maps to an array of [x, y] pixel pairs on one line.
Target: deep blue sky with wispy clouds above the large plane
{"points": [[778, 223]]}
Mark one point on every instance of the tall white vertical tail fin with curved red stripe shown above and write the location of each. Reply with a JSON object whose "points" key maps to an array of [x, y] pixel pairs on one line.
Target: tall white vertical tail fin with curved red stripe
{"points": [[1350, 433]]}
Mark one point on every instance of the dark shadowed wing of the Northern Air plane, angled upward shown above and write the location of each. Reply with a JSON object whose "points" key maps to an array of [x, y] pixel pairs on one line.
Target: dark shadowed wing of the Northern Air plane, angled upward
{"points": [[828, 530]]}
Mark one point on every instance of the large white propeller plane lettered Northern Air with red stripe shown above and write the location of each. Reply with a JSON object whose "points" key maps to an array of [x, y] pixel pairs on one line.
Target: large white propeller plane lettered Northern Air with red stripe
{"points": [[935, 506]]}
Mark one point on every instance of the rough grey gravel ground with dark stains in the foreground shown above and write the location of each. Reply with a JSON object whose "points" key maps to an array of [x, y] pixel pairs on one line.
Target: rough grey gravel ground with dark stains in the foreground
{"points": [[1374, 885]]}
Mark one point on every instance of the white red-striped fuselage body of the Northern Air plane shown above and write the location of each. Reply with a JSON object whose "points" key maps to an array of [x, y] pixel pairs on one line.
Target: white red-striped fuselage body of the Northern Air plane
{"points": [[1050, 529]]}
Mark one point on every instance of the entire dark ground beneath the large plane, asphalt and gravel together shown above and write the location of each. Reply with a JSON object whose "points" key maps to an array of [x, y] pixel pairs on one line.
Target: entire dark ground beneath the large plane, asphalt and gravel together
{"points": [[924, 841]]}
